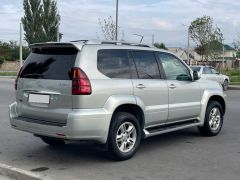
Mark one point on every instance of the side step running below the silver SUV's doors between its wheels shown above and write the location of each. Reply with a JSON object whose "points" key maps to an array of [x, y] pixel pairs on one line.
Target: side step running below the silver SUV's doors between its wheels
{"points": [[170, 128]]}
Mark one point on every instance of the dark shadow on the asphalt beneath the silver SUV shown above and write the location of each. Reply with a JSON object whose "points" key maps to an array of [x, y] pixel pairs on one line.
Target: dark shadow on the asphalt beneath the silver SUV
{"points": [[80, 153]]}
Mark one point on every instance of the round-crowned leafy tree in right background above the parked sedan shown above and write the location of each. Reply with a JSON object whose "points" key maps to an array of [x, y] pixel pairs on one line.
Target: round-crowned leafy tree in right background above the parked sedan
{"points": [[206, 36]]}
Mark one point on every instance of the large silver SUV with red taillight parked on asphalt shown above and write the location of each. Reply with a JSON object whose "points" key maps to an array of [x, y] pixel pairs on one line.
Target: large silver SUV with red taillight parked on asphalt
{"points": [[112, 93]]}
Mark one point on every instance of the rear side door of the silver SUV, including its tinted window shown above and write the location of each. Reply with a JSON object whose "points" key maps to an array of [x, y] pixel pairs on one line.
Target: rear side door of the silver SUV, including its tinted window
{"points": [[150, 88]]}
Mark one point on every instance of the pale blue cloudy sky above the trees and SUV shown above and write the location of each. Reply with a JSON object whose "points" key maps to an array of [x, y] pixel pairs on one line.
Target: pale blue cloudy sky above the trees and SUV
{"points": [[163, 18]]}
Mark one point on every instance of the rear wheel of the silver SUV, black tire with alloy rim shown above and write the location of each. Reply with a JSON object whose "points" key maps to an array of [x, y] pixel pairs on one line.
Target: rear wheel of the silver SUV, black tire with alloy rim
{"points": [[124, 136]]}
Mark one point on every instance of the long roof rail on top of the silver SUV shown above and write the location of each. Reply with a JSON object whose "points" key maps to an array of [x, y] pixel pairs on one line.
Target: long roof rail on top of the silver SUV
{"points": [[111, 42]]}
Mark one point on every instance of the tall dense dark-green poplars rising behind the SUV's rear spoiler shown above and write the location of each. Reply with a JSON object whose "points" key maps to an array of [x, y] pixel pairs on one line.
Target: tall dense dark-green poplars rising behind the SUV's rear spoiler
{"points": [[40, 21]]}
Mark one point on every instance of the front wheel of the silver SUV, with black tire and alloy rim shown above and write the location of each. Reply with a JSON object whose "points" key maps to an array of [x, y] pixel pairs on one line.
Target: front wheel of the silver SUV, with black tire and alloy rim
{"points": [[213, 119]]}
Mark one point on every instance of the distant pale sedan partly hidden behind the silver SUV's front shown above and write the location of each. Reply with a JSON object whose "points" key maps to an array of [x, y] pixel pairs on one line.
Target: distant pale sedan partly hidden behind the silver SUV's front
{"points": [[208, 72]]}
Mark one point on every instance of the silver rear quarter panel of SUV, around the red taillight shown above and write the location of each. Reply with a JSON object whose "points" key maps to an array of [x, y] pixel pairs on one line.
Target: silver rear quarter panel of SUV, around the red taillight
{"points": [[102, 86]]}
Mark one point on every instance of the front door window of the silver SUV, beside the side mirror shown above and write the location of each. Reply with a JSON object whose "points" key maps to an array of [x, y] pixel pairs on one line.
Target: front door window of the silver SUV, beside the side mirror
{"points": [[174, 68]]}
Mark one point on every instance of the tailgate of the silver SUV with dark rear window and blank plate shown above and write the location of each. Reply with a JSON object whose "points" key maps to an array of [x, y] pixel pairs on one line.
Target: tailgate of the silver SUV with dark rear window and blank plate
{"points": [[44, 90]]}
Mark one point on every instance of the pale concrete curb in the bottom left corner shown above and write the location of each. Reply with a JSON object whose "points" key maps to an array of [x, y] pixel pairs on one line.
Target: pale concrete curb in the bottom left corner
{"points": [[18, 174]]}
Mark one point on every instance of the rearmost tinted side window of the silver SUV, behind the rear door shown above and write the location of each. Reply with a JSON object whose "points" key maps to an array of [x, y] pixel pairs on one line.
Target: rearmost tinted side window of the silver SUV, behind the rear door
{"points": [[114, 63]]}
